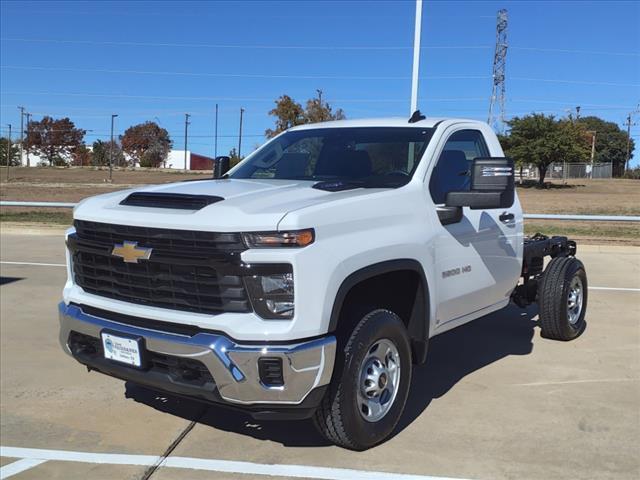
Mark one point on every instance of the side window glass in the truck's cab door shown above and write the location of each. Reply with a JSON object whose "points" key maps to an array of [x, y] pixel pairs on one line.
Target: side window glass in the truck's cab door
{"points": [[451, 172]]}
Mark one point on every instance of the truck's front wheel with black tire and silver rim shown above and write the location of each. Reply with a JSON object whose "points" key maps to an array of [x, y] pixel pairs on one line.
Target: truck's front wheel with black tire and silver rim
{"points": [[369, 389]]}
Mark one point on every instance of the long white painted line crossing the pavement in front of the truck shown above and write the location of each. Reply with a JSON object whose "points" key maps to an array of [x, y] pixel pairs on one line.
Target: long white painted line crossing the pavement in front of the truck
{"points": [[225, 466]]}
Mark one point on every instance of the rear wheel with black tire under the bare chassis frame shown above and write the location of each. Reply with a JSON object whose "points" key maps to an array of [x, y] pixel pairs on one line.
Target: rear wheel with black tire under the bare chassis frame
{"points": [[562, 298]]}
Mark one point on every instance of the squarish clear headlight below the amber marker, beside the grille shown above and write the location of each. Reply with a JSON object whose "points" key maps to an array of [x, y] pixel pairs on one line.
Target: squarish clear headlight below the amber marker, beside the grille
{"points": [[272, 295]]}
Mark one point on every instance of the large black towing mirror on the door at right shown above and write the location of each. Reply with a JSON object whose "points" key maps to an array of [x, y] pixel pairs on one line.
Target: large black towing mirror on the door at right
{"points": [[492, 185]]}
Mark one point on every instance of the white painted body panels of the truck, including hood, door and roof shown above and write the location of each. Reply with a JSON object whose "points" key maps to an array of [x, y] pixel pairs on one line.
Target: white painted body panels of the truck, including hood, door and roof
{"points": [[354, 229]]}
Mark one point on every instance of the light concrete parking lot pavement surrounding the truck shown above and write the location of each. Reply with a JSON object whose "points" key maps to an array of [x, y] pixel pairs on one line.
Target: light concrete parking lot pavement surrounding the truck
{"points": [[494, 401]]}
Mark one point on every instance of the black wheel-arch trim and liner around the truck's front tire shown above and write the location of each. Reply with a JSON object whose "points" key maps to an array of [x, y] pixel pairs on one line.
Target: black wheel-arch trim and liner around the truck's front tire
{"points": [[418, 327]]}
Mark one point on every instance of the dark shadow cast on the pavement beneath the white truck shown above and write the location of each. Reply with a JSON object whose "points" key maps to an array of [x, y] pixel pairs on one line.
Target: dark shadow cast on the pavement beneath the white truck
{"points": [[452, 356]]}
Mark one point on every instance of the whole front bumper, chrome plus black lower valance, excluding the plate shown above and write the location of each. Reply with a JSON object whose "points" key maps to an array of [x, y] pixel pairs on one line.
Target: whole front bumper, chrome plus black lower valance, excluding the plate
{"points": [[306, 366]]}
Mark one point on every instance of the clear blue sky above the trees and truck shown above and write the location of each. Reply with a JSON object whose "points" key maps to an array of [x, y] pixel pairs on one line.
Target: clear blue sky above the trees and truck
{"points": [[159, 60]]}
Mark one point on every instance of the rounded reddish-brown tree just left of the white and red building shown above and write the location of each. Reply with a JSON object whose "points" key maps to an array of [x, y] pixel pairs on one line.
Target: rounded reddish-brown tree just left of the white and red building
{"points": [[147, 144]]}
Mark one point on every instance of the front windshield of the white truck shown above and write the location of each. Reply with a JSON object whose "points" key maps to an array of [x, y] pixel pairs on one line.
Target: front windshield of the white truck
{"points": [[362, 156]]}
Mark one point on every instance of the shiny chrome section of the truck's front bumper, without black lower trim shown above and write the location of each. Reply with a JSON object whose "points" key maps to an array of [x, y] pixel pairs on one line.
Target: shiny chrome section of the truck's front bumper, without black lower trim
{"points": [[234, 367]]}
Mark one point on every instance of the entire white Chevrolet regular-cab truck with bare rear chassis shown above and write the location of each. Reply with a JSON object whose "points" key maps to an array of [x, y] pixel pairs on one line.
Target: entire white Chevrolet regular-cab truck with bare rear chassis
{"points": [[308, 280]]}
